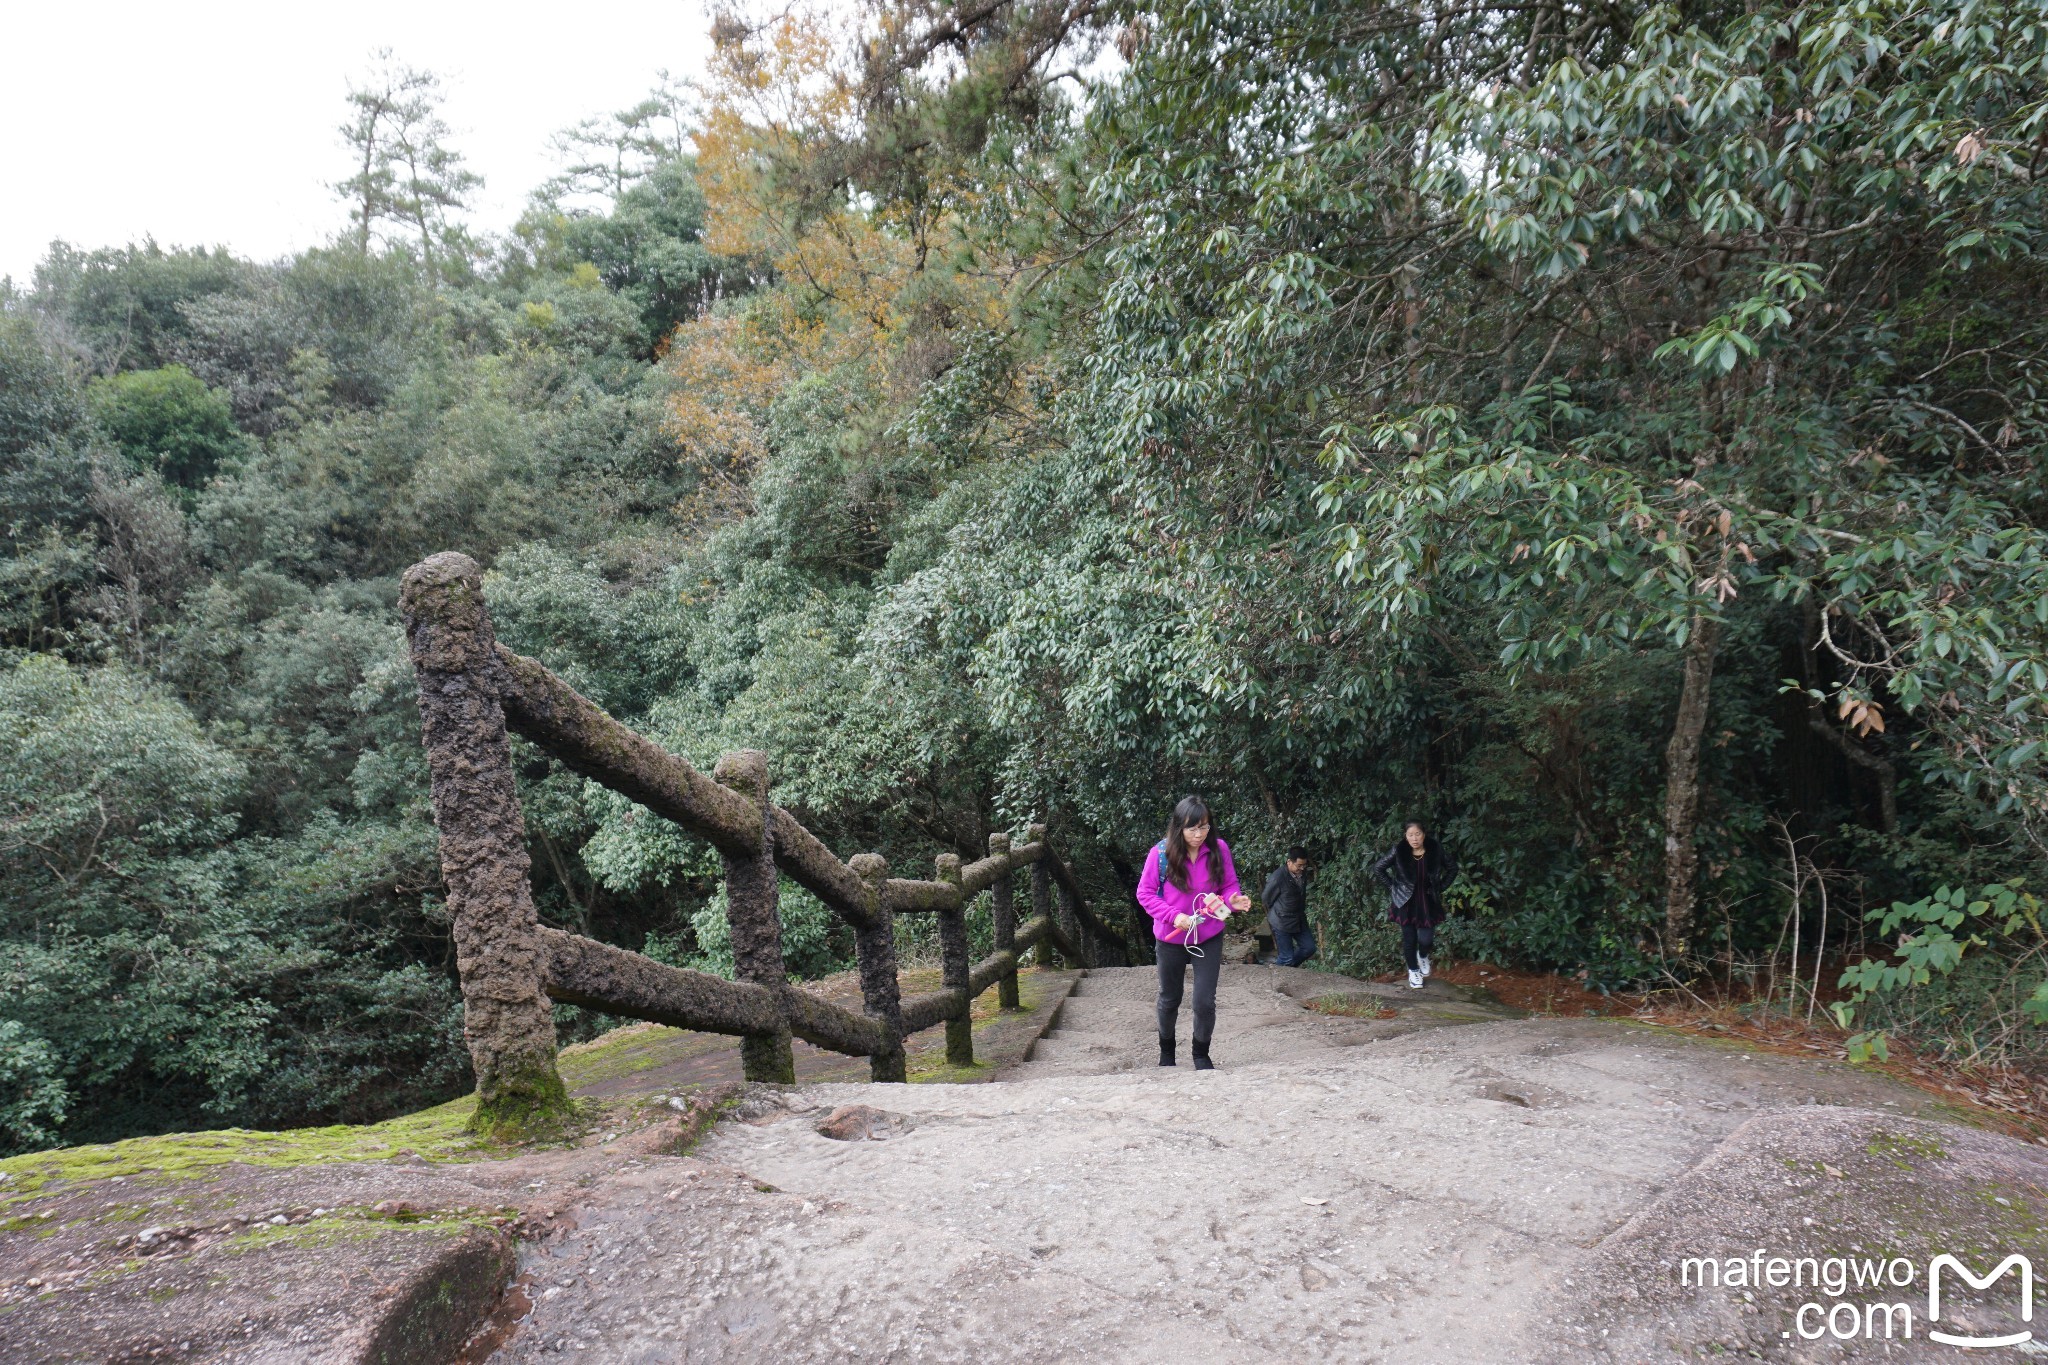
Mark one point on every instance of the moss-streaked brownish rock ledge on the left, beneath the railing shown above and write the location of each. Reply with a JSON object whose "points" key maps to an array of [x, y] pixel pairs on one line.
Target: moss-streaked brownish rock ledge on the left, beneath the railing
{"points": [[380, 1245]]}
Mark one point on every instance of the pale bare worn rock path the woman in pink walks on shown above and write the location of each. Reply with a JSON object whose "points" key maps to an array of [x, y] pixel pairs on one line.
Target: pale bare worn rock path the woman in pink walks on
{"points": [[1447, 1186]]}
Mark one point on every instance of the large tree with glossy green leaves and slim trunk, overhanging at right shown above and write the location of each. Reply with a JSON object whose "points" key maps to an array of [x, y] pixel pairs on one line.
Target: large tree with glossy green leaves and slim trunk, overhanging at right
{"points": [[1605, 324]]}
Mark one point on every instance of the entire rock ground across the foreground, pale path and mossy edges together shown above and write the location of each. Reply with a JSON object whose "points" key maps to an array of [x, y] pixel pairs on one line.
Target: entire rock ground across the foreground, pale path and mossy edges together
{"points": [[1451, 1184]]}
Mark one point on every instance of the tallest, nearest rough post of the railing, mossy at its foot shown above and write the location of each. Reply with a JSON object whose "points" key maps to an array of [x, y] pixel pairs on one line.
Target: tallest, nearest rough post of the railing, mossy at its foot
{"points": [[507, 1016]]}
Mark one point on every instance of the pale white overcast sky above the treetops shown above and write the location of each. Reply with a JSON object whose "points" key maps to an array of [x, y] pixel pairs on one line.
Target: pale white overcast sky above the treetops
{"points": [[216, 124]]}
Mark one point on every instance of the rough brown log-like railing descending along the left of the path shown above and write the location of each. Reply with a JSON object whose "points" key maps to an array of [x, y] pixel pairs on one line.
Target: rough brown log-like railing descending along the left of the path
{"points": [[474, 691]]}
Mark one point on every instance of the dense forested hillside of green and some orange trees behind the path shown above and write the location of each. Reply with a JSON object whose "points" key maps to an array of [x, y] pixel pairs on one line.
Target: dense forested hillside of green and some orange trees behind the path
{"points": [[1611, 437]]}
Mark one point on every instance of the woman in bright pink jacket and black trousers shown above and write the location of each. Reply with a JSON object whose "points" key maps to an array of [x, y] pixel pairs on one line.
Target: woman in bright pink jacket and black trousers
{"points": [[1189, 887]]}
